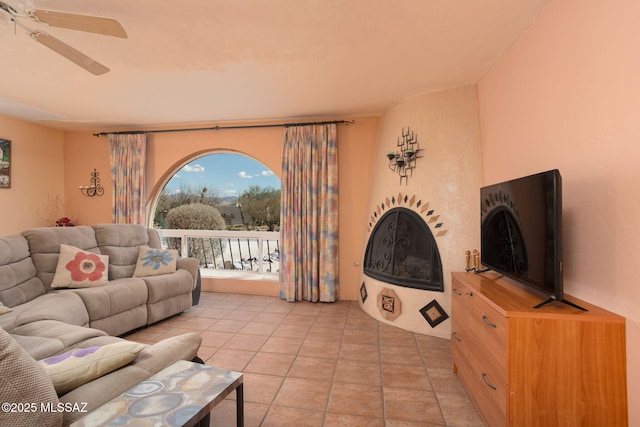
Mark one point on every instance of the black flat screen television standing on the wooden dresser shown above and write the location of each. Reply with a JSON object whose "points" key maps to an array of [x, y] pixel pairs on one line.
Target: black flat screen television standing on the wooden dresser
{"points": [[521, 231]]}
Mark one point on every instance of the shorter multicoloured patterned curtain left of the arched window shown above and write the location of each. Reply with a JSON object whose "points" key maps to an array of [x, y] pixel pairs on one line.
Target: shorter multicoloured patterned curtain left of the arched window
{"points": [[128, 156]]}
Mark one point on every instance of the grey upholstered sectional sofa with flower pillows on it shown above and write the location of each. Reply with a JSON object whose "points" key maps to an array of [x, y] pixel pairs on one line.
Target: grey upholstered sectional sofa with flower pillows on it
{"points": [[38, 321]]}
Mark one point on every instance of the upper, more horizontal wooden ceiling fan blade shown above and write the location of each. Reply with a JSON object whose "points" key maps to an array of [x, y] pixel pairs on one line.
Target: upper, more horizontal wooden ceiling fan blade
{"points": [[72, 21]]}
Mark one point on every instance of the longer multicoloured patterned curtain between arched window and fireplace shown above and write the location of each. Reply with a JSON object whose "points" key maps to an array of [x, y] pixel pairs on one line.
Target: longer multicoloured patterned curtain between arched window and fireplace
{"points": [[309, 214]]}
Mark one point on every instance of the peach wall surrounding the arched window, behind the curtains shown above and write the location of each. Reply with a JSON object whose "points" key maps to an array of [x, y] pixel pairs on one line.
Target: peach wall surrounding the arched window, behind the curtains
{"points": [[167, 152]]}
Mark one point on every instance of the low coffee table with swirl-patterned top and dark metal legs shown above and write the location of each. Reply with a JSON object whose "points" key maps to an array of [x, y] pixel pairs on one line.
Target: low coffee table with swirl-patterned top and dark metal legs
{"points": [[181, 395]]}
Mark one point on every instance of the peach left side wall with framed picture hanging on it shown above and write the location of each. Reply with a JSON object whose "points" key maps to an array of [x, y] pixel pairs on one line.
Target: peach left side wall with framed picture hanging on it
{"points": [[37, 177]]}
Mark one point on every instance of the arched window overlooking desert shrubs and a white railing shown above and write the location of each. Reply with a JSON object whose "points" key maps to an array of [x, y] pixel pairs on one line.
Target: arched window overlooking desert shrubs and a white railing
{"points": [[230, 203]]}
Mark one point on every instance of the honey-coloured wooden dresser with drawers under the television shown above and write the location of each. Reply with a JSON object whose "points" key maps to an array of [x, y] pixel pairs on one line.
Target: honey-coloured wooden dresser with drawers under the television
{"points": [[551, 366]]}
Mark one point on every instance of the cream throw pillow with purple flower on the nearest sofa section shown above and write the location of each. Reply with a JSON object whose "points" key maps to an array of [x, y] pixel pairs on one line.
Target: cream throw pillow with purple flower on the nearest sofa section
{"points": [[76, 367]]}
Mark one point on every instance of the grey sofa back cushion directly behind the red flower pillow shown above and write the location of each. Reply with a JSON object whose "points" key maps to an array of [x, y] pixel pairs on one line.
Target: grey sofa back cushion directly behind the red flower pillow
{"points": [[44, 245]]}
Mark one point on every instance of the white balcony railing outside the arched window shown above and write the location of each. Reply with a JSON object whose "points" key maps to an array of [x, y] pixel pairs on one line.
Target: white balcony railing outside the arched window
{"points": [[217, 250]]}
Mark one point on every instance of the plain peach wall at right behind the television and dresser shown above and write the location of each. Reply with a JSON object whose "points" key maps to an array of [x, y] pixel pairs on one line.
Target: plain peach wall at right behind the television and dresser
{"points": [[567, 96]]}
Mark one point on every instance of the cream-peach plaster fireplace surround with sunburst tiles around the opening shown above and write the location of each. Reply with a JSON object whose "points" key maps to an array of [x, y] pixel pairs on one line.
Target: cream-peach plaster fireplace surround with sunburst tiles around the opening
{"points": [[446, 179]]}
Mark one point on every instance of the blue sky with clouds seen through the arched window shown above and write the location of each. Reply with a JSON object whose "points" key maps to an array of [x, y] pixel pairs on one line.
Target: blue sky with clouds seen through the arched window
{"points": [[223, 174]]}
